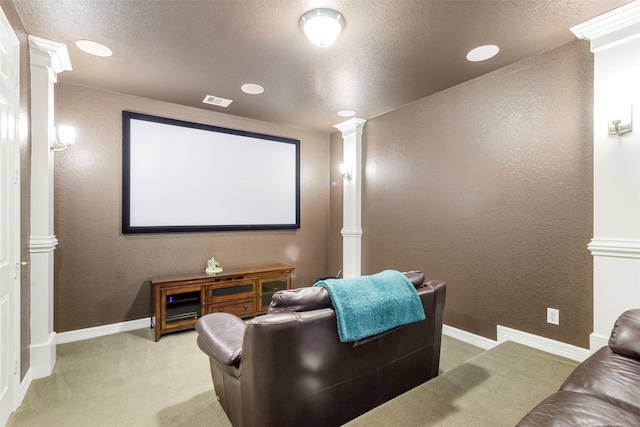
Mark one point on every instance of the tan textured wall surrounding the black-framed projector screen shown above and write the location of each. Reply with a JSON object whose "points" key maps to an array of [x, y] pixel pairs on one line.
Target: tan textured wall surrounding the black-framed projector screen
{"points": [[99, 272]]}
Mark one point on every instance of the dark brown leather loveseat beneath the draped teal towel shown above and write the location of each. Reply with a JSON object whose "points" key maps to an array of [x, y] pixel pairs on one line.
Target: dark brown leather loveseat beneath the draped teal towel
{"points": [[289, 368]]}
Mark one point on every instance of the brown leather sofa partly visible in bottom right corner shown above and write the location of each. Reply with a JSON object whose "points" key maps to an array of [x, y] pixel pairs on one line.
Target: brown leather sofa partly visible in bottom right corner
{"points": [[604, 390]]}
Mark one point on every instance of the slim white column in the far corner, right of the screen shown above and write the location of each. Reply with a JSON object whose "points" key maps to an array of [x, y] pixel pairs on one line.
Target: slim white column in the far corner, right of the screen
{"points": [[352, 197]]}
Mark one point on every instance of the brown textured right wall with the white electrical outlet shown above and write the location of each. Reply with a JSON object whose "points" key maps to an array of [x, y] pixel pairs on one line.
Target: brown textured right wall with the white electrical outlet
{"points": [[488, 186]]}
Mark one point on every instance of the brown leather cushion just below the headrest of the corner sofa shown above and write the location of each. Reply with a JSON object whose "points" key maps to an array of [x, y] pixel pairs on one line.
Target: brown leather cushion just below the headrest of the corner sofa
{"points": [[609, 377]]}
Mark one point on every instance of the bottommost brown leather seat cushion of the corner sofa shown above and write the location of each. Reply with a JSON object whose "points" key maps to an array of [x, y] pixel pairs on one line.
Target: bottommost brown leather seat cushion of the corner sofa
{"points": [[566, 408]]}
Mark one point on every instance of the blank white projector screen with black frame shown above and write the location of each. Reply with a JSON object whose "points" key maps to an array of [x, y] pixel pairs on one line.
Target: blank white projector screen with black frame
{"points": [[199, 178]]}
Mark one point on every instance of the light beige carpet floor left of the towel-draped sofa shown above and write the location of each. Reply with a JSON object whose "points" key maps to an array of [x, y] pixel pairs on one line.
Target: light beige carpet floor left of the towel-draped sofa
{"points": [[125, 379]]}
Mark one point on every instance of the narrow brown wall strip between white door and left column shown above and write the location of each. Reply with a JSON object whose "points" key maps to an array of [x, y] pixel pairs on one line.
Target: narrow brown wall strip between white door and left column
{"points": [[25, 186]]}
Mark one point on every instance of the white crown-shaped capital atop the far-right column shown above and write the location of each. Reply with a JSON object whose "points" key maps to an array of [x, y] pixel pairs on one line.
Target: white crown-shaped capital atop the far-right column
{"points": [[609, 29]]}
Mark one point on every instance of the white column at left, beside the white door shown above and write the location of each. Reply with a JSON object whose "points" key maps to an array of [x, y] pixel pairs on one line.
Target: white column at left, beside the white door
{"points": [[47, 59]]}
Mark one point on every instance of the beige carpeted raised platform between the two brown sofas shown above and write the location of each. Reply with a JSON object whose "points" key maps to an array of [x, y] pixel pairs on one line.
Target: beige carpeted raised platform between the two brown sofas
{"points": [[496, 388]]}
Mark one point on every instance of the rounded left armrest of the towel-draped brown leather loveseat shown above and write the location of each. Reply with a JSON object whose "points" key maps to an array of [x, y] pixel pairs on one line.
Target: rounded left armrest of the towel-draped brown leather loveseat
{"points": [[220, 336]]}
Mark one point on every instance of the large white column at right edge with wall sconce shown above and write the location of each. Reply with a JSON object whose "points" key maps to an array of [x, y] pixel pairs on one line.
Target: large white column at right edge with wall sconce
{"points": [[615, 42]]}
